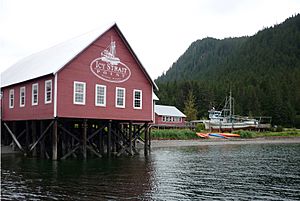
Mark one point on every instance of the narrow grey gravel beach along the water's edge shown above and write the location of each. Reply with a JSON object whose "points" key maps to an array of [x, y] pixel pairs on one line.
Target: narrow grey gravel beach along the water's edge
{"points": [[214, 142]]}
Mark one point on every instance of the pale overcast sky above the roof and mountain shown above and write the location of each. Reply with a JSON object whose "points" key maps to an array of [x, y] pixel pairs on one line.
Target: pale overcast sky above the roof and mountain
{"points": [[159, 31]]}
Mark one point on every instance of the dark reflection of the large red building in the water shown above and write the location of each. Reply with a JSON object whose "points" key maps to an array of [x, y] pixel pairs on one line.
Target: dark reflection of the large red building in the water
{"points": [[119, 178]]}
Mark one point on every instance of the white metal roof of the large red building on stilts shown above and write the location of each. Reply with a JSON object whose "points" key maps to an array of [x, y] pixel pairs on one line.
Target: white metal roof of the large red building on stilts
{"points": [[51, 60]]}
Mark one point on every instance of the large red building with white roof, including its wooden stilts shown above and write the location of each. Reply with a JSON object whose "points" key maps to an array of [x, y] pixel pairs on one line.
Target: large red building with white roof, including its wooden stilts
{"points": [[92, 89]]}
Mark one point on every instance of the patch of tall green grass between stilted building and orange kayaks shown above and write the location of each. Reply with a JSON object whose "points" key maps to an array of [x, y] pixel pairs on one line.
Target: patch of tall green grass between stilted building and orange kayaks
{"points": [[174, 134]]}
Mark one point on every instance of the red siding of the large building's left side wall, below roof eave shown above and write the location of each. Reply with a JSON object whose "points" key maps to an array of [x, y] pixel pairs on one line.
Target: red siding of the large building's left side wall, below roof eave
{"points": [[28, 112]]}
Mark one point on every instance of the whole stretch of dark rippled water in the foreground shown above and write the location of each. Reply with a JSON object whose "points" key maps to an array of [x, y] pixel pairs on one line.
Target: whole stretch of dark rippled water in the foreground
{"points": [[224, 172]]}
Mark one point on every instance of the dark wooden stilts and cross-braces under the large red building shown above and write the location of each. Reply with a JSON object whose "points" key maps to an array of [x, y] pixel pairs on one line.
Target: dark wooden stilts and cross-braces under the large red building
{"points": [[62, 138]]}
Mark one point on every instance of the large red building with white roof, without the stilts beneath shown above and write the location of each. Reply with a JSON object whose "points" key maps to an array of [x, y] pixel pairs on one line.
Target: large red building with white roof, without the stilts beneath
{"points": [[95, 77]]}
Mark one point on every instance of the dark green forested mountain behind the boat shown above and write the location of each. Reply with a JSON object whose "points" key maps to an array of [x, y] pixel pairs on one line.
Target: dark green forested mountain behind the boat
{"points": [[262, 71]]}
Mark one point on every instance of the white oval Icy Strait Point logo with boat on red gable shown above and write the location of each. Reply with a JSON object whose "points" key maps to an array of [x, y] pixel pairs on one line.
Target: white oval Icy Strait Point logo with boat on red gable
{"points": [[109, 67]]}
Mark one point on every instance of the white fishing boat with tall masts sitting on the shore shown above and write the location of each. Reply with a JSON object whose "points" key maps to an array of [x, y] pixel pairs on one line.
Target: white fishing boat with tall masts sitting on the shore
{"points": [[225, 120]]}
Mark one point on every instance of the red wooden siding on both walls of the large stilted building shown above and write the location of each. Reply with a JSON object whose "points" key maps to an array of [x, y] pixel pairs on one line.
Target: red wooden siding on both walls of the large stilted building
{"points": [[78, 69]]}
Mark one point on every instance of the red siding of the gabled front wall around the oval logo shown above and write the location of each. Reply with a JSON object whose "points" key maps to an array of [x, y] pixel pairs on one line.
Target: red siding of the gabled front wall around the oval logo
{"points": [[79, 70]]}
